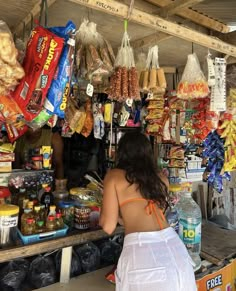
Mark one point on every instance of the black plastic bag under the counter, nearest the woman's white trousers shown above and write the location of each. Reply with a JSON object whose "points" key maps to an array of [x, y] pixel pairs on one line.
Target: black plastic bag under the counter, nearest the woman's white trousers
{"points": [[110, 252]]}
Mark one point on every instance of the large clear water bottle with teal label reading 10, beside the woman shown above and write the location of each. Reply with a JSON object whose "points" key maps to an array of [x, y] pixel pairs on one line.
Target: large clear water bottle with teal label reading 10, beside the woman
{"points": [[190, 223]]}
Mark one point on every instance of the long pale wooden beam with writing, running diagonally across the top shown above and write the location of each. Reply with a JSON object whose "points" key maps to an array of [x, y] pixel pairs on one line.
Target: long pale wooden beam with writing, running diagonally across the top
{"points": [[120, 10]]}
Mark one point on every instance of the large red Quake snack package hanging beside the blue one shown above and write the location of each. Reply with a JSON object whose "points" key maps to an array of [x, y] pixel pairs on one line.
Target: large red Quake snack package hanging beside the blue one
{"points": [[42, 55]]}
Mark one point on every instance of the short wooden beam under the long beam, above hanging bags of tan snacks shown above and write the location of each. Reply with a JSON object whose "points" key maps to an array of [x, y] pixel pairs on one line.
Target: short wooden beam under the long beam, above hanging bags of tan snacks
{"points": [[150, 40]]}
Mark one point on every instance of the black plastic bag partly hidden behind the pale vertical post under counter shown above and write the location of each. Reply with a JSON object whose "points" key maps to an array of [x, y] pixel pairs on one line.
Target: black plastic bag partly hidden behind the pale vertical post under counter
{"points": [[75, 269]]}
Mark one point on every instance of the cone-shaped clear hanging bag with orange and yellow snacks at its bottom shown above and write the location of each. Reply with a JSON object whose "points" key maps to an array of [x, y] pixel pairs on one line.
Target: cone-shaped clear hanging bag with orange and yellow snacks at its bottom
{"points": [[193, 83]]}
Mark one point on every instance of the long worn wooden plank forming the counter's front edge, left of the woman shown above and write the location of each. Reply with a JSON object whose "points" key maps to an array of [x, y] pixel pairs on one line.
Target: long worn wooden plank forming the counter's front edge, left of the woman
{"points": [[75, 238]]}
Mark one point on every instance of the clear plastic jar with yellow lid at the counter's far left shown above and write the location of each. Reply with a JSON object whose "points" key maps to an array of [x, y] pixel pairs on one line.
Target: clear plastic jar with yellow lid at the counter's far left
{"points": [[8, 224]]}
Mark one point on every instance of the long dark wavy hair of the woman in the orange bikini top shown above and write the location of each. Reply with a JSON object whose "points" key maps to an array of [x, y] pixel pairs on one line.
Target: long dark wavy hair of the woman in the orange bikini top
{"points": [[135, 156]]}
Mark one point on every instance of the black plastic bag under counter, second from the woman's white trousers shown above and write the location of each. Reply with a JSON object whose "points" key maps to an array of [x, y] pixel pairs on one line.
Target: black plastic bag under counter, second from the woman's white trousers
{"points": [[90, 256]]}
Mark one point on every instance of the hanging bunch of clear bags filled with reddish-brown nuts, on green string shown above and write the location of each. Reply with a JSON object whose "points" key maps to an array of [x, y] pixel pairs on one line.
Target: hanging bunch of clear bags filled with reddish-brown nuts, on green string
{"points": [[124, 81]]}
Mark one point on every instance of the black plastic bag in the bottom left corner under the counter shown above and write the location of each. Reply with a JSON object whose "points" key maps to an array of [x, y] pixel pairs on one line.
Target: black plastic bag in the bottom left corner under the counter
{"points": [[13, 274]]}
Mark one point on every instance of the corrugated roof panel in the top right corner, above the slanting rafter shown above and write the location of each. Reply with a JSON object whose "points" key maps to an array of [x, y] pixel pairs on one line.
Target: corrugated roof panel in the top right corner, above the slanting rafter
{"points": [[221, 10]]}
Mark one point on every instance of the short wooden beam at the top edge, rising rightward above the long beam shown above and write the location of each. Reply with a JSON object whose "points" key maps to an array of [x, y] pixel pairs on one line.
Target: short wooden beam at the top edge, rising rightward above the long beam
{"points": [[176, 6]]}
